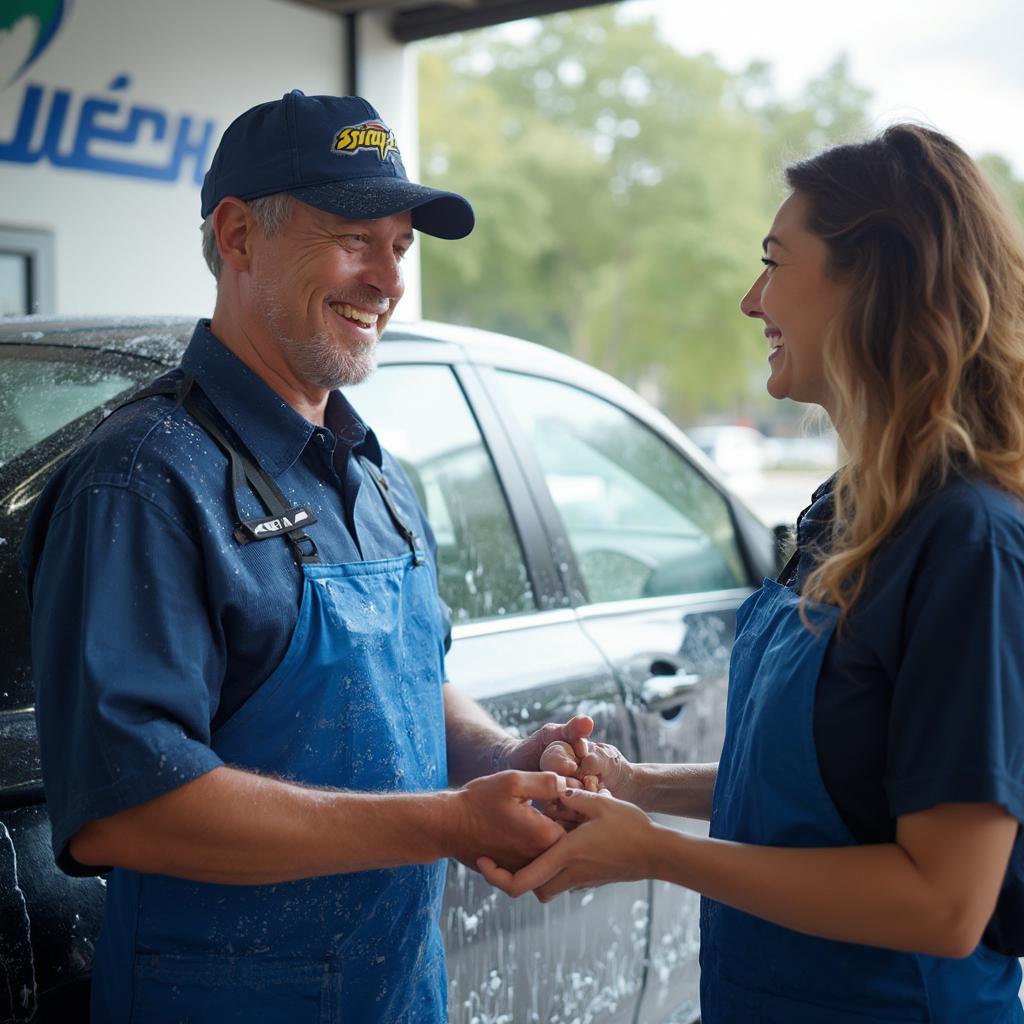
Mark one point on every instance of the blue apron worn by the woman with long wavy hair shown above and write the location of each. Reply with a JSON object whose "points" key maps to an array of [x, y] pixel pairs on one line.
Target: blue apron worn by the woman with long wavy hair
{"points": [[770, 793]]}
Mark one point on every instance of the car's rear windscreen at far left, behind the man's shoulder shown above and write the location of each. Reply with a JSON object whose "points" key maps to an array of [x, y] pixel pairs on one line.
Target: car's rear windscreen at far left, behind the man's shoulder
{"points": [[44, 391]]}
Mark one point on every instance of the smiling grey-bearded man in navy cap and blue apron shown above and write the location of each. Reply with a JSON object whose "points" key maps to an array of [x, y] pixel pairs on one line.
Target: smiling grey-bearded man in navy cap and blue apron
{"points": [[237, 635]]}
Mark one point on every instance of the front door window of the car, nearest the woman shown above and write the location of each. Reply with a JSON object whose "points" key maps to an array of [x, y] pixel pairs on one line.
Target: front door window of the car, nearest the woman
{"points": [[643, 522]]}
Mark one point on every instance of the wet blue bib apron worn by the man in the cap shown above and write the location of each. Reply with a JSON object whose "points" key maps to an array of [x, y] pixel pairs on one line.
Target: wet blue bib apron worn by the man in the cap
{"points": [[355, 704]]}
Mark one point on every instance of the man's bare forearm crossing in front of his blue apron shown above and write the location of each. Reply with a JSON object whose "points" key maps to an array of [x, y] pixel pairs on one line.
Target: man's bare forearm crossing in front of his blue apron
{"points": [[235, 828]]}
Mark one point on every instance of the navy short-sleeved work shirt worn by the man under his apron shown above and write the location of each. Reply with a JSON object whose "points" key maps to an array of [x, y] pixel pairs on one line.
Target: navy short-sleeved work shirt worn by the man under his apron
{"points": [[150, 621]]}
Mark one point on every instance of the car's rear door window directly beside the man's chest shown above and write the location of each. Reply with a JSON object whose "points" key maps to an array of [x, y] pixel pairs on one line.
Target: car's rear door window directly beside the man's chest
{"points": [[421, 416]]}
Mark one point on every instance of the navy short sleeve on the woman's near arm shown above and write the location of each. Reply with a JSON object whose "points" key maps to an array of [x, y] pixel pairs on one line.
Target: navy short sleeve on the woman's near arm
{"points": [[957, 727]]}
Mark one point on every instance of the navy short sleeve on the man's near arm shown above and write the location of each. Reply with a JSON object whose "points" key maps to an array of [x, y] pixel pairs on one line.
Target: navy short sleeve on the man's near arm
{"points": [[122, 655]]}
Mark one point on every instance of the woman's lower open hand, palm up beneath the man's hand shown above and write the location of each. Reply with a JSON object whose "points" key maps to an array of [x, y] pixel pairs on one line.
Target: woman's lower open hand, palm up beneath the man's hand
{"points": [[614, 844]]}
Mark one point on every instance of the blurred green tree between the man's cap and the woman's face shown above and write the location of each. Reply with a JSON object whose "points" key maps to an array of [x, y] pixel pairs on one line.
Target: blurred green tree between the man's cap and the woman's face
{"points": [[622, 192]]}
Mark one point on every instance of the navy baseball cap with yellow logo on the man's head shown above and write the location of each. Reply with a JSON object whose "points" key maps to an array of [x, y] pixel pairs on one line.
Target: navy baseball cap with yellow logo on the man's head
{"points": [[334, 153]]}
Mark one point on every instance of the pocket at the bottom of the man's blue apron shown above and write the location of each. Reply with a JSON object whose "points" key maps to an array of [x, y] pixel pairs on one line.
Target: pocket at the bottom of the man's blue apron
{"points": [[197, 990]]}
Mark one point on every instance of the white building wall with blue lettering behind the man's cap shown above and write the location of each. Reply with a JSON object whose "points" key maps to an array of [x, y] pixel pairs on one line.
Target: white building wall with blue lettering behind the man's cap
{"points": [[132, 246]]}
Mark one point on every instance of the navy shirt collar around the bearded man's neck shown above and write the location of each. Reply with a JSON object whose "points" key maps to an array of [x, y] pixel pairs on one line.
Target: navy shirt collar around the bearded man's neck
{"points": [[271, 430]]}
